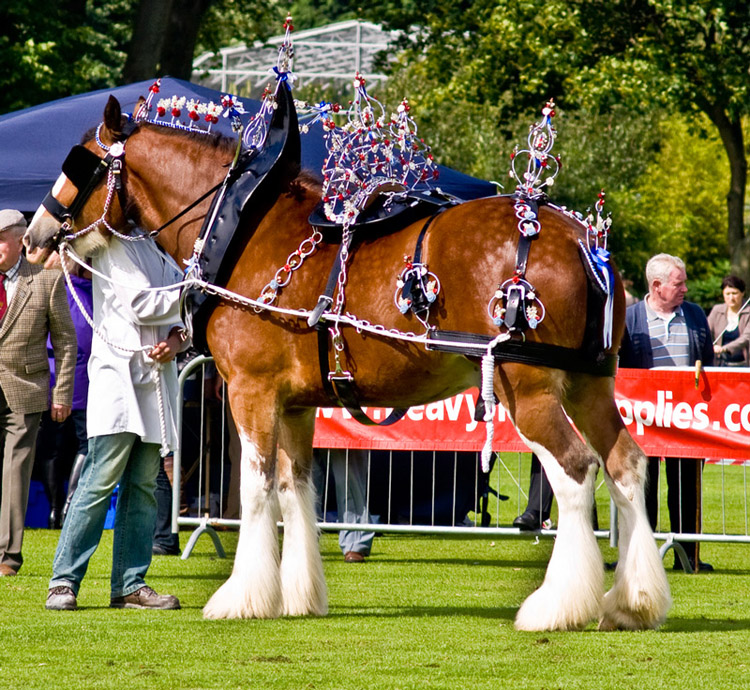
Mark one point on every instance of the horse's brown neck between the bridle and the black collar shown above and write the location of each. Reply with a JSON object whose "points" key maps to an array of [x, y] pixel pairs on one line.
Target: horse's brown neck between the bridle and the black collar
{"points": [[170, 173]]}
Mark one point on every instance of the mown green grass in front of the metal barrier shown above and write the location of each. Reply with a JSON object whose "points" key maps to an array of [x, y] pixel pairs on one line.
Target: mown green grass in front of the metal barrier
{"points": [[423, 612]]}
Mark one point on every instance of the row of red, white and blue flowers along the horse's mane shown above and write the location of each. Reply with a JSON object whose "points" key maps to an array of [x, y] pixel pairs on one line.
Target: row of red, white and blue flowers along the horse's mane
{"points": [[191, 115]]}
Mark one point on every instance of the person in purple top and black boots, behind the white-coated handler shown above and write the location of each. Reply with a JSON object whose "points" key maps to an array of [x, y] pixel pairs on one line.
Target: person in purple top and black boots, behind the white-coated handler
{"points": [[61, 447]]}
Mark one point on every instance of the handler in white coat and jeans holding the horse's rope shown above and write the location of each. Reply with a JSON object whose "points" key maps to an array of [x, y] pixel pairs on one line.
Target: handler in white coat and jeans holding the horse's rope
{"points": [[138, 332]]}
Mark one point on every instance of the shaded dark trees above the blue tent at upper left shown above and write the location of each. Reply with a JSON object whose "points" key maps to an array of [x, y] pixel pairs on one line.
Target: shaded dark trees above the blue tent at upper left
{"points": [[55, 48]]}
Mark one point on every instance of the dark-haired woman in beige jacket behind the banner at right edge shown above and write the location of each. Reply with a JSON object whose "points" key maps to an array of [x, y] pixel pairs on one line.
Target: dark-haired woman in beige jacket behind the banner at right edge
{"points": [[730, 325]]}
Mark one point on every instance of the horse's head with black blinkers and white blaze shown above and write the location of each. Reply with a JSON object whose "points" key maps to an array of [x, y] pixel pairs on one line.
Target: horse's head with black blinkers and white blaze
{"points": [[84, 201]]}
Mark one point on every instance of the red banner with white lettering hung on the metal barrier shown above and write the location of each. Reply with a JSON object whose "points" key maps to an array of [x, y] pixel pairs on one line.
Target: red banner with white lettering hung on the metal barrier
{"points": [[664, 410]]}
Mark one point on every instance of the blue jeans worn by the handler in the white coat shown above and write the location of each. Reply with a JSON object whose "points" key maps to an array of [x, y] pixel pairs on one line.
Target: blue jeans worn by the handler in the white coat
{"points": [[116, 458]]}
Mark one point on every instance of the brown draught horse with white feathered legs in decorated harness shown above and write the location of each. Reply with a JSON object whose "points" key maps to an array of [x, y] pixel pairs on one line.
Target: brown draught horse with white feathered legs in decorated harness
{"points": [[270, 364]]}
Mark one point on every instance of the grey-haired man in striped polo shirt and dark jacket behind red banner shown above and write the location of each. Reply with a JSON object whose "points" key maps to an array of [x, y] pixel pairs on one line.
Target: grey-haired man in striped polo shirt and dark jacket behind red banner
{"points": [[664, 330]]}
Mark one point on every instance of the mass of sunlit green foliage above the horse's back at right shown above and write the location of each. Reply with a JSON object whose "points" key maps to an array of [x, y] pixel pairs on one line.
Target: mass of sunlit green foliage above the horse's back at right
{"points": [[479, 72]]}
